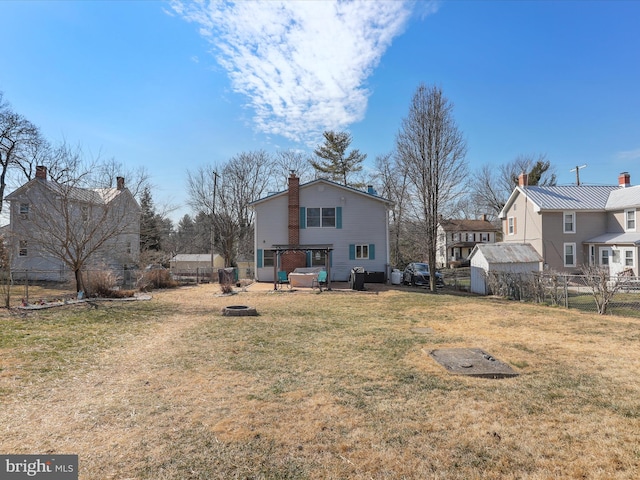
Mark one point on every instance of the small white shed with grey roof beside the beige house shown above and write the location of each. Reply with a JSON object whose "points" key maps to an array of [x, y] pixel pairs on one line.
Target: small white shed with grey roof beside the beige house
{"points": [[501, 257]]}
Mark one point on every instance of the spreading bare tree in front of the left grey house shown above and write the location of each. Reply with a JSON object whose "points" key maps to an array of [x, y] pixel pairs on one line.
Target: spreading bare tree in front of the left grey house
{"points": [[69, 222]]}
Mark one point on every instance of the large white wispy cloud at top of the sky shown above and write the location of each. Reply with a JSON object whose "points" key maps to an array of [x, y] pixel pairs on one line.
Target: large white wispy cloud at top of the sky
{"points": [[303, 65]]}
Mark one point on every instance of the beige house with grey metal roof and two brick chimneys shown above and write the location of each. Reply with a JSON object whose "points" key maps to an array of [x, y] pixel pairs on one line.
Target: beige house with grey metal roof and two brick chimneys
{"points": [[575, 225]]}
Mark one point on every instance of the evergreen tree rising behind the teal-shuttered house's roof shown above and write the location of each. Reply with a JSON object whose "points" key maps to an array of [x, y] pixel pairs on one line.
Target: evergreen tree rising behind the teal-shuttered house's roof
{"points": [[334, 160]]}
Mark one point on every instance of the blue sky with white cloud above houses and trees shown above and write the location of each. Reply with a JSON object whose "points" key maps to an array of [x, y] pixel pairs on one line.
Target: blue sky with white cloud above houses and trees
{"points": [[176, 85]]}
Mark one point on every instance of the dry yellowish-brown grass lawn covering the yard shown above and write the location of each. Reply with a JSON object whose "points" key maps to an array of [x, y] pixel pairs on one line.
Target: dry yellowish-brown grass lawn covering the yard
{"points": [[332, 385]]}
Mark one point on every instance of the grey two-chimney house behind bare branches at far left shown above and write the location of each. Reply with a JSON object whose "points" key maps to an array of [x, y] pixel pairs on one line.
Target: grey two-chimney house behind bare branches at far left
{"points": [[47, 216]]}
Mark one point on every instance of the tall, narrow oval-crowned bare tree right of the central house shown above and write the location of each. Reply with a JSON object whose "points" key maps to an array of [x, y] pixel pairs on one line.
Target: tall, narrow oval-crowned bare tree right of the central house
{"points": [[432, 151]]}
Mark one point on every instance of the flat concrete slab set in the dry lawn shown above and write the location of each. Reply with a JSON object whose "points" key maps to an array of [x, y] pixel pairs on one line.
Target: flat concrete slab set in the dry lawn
{"points": [[473, 362]]}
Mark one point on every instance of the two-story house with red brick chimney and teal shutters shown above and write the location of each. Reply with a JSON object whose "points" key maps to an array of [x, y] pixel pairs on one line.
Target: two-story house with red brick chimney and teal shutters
{"points": [[321, 224]]}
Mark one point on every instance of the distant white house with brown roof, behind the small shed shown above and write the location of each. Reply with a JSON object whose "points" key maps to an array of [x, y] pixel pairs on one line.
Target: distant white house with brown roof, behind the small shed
{"points": [[456, 239]]}
